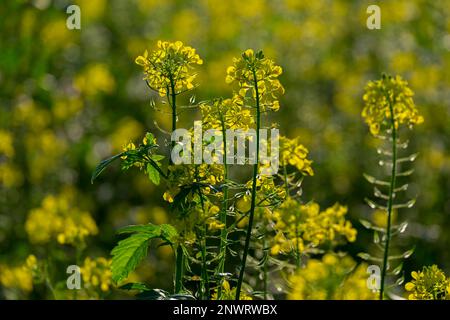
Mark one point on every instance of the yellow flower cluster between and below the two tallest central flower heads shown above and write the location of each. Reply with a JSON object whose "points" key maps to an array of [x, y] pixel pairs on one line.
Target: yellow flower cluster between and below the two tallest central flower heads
{"points": [[228, 112]]}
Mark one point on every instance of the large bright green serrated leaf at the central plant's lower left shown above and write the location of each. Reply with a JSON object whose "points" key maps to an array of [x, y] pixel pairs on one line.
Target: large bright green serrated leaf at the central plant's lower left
{"points": [[128, 254]]}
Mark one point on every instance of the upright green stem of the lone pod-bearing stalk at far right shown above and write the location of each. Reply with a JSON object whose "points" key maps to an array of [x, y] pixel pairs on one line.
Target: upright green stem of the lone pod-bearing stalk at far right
{"points": [[390, 200]]}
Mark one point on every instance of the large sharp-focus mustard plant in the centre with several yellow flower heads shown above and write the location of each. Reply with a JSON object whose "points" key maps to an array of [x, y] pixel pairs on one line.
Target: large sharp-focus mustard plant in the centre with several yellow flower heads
{"points": [[203, 198]]}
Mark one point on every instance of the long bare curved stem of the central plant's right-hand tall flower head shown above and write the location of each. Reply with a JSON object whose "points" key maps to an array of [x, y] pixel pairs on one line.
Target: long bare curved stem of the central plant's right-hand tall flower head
{"points": [[253, 200]]}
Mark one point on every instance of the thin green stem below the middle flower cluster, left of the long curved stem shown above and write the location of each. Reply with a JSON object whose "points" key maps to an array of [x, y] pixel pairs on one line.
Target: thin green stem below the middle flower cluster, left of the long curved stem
{"points": [[223, 213]]}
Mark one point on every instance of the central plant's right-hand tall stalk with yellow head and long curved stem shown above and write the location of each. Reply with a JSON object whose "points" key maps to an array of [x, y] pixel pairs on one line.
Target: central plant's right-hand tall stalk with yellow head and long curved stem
{"points": [[258, 84]]}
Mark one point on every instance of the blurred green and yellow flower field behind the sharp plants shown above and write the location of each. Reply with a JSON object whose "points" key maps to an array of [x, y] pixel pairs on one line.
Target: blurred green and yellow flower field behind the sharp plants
{"points": [[69, 98]]}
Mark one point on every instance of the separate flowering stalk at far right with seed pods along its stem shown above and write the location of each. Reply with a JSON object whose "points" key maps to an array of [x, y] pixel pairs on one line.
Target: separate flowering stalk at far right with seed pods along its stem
{"points": [[388, 106]]}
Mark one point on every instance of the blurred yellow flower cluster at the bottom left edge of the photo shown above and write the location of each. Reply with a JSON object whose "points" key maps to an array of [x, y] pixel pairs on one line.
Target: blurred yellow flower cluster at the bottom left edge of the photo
{"points": [[20, 277]]}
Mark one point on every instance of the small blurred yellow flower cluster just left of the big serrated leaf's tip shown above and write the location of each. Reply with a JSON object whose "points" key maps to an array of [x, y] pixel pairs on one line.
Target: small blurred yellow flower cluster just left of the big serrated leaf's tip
{"points": [[96, 273]]}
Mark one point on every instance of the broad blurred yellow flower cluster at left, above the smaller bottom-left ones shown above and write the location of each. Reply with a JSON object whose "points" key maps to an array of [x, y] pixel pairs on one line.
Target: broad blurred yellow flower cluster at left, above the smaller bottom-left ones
{"points": [[59, 219]]}
